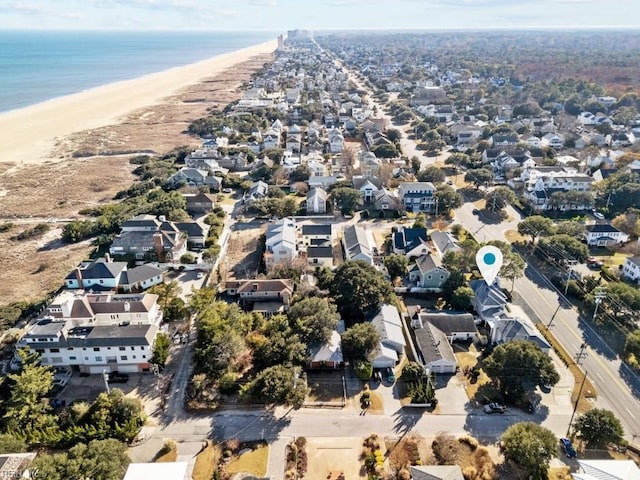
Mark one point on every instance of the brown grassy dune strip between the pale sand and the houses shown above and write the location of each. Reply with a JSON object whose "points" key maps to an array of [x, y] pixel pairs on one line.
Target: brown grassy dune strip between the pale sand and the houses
{"points": [[87, 168]]}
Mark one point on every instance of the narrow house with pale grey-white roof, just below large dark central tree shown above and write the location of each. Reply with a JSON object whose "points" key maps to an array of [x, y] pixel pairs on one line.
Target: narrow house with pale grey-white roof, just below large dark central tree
{"points": [[388, 324]]}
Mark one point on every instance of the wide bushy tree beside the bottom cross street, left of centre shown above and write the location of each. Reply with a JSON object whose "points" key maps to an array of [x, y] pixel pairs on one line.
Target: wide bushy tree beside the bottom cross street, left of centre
{"points": [[278, 384]]}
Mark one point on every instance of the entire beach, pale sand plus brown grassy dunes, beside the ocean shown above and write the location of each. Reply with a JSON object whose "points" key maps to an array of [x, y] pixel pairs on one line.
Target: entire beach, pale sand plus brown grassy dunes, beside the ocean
{"points": [[62, 156]]}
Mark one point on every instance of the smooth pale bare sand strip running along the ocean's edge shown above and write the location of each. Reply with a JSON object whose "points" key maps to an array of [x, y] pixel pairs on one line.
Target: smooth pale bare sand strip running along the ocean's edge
{"points": [[28, 135]]}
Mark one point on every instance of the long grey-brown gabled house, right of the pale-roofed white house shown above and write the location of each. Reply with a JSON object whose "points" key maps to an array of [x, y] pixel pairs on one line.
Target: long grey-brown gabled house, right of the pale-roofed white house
{"points": [[434, 350]]}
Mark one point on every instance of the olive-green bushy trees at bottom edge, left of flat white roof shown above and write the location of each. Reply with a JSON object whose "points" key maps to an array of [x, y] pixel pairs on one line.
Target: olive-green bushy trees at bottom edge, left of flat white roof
{"points": [[99, 460]]}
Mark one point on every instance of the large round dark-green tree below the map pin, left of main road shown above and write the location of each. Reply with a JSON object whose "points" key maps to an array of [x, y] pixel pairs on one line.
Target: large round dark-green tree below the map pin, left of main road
{"points": [[518, 366]]}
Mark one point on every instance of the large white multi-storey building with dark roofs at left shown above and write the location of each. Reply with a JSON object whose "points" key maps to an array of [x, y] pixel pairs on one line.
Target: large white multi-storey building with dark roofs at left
{"points": [[94, 333]]}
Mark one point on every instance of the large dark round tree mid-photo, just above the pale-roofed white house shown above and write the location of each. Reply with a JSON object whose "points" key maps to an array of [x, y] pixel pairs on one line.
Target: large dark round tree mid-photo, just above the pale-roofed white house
{"points": [[359, 288]]}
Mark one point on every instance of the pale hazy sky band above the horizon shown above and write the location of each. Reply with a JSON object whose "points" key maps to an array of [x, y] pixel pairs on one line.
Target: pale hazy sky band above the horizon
{"points": [[276, 15]]}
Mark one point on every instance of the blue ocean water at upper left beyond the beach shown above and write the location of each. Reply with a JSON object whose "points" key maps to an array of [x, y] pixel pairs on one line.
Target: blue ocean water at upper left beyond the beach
{"points": [[39, 65]]}
